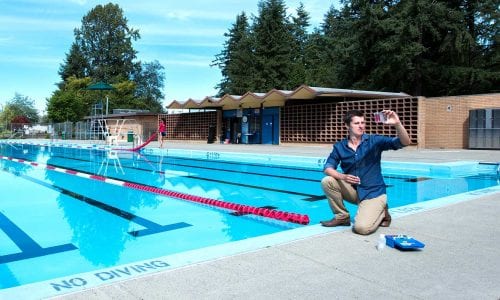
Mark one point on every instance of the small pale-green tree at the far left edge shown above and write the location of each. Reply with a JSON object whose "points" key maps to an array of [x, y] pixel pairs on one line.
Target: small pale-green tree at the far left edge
{"points": [[19, 108]]}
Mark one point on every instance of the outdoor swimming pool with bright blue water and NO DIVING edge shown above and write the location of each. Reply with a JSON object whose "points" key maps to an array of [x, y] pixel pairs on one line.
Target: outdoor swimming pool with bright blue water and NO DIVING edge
{"points": [[87, 215]]}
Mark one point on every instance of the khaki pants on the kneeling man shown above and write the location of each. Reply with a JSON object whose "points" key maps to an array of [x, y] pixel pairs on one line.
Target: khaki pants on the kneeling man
{"points": [[370, 211]]}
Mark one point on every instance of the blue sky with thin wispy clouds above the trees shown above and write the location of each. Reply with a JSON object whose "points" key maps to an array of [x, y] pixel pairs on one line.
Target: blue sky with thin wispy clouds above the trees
{"points": [[184, 36]]}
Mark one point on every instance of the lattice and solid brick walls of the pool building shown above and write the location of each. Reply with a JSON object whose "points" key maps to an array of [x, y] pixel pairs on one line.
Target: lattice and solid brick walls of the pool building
{"points": [[437, 122]]}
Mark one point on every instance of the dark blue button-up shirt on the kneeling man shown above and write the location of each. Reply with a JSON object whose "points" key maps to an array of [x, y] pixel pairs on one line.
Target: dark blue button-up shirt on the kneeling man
{"points": [[364, 162]]}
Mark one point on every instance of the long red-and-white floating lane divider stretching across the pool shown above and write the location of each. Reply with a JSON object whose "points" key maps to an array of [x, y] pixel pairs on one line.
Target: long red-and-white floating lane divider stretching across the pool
{"points": [[241, 208]]}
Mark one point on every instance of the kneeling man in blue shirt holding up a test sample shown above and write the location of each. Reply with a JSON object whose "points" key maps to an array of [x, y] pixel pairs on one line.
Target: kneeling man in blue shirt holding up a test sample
{"points": [[361, 181]]}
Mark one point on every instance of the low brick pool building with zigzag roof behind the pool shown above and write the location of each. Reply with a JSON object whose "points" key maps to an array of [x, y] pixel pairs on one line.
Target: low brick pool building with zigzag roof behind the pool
{"points": [[313, 115]]}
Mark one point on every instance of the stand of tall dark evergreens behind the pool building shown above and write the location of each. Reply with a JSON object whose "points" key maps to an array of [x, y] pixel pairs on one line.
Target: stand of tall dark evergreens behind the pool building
{"points": [[422, 47]]}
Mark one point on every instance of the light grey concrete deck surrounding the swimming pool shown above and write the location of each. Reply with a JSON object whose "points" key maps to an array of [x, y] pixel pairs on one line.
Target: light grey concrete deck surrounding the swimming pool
{"points": [[461, 259]]}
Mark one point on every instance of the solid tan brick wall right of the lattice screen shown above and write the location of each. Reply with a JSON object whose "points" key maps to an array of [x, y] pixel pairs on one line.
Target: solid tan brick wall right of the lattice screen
{"points": [[447, 119]]}
